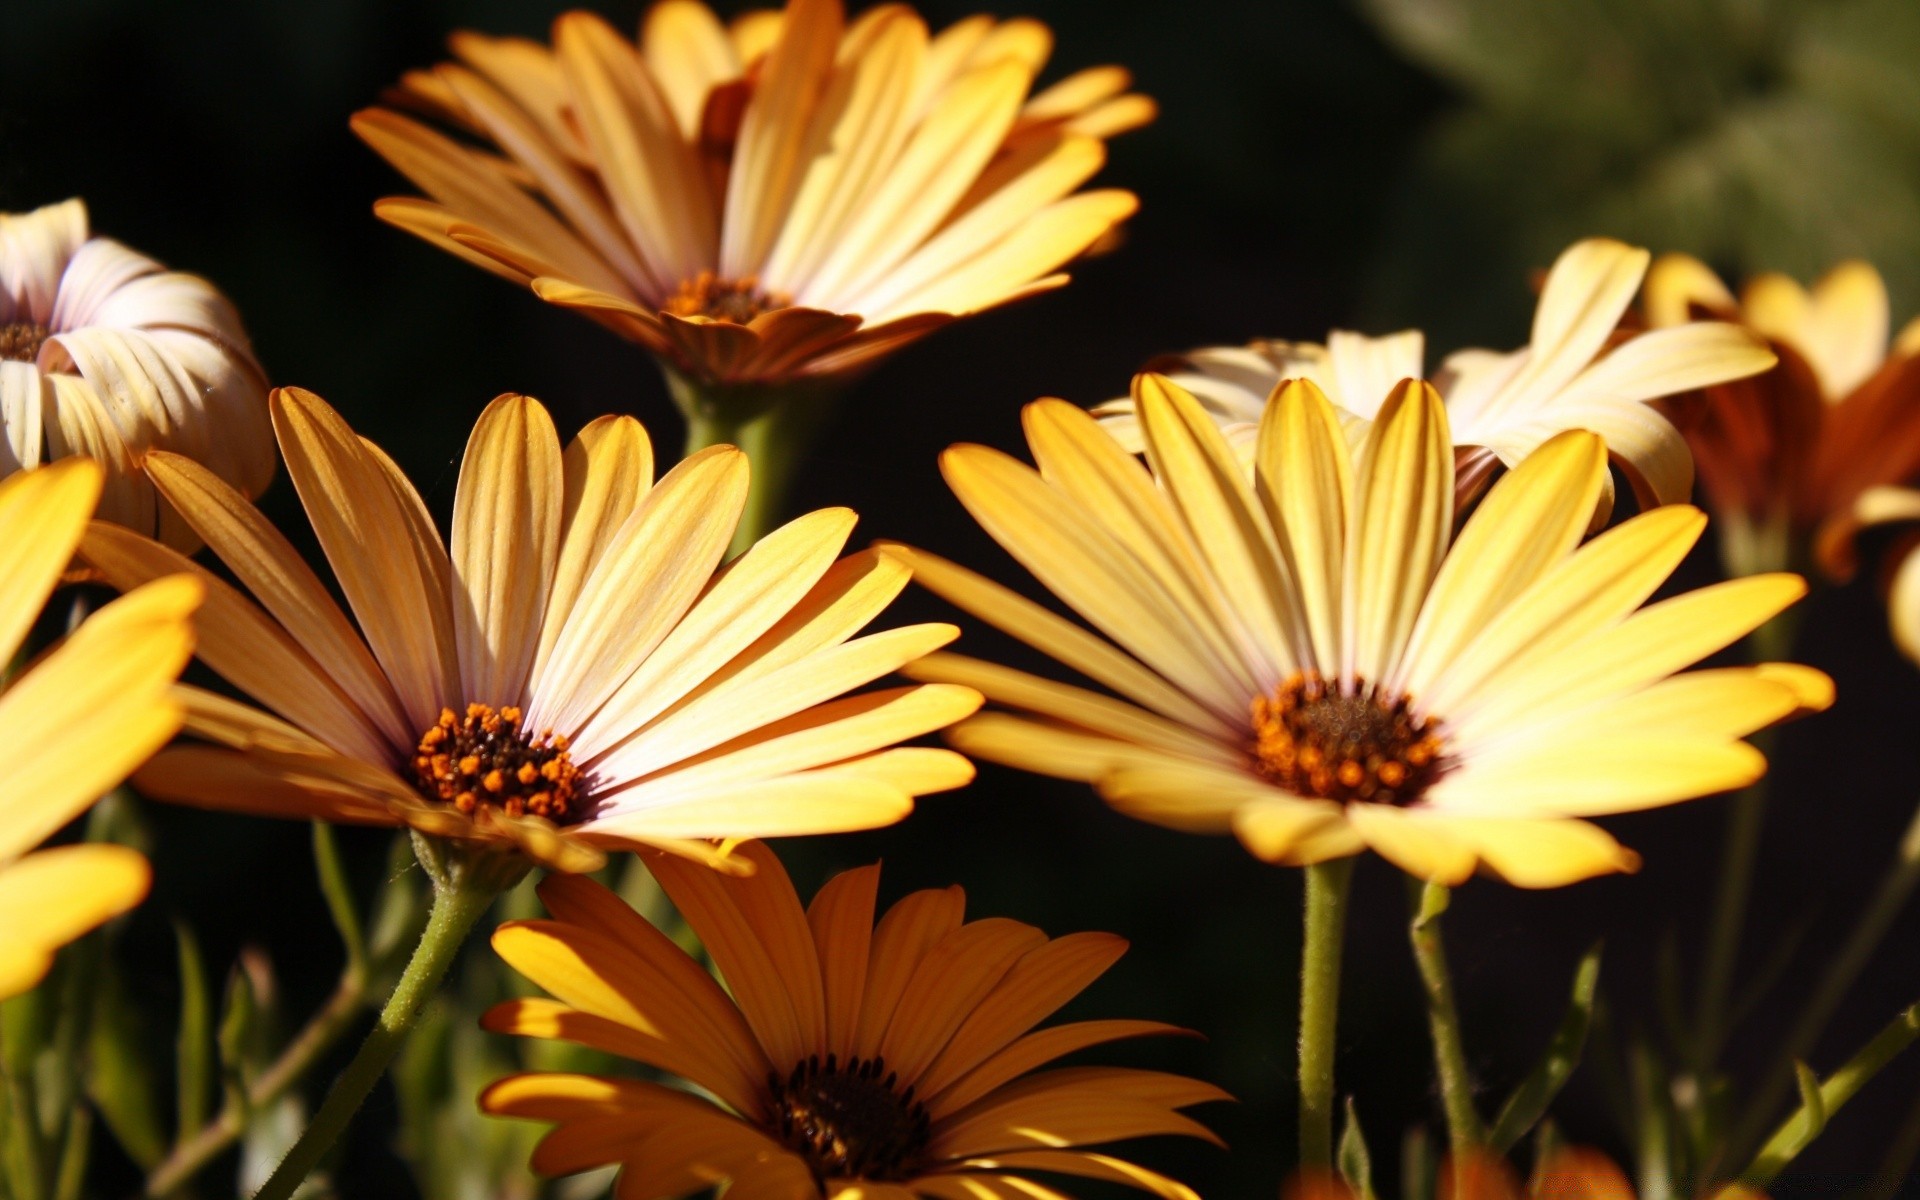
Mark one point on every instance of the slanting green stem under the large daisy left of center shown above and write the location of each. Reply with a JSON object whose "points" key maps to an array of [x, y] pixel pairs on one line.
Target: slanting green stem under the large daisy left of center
{"points": [[460, 901]]}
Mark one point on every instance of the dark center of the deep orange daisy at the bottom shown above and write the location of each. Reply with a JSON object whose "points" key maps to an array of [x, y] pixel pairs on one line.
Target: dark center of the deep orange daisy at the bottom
{"points": [[848, 1120]]}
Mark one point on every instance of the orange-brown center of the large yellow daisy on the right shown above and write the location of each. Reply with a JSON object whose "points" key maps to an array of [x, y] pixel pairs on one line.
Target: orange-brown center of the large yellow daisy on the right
{"points": [[1345, 746]]}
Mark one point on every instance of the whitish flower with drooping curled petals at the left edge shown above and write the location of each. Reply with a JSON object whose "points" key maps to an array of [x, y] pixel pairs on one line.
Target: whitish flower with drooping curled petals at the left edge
{"points": [[108, 354]]}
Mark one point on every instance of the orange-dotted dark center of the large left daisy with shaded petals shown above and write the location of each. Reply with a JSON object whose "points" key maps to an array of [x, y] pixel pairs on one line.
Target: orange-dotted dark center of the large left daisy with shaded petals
{"points": [[485, 759]]}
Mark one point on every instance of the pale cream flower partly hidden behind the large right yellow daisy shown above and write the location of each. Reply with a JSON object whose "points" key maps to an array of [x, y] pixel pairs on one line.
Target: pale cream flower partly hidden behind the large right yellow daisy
{"points": [[1575, 373]]}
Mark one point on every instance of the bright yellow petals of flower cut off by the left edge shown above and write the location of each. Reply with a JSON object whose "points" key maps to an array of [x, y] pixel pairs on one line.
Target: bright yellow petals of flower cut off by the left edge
{"points": [[76, 723]]}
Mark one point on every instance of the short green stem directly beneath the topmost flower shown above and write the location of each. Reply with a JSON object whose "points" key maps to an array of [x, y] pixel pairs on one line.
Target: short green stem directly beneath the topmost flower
{"points": [[773, 425]]}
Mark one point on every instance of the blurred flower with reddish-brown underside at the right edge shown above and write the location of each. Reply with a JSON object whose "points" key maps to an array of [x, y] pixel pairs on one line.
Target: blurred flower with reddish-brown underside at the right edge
{"points": [[1783, 456]]}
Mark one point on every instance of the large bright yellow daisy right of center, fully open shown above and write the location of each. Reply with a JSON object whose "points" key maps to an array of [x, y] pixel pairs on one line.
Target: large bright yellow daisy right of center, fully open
{"points": [[1316, 661]]}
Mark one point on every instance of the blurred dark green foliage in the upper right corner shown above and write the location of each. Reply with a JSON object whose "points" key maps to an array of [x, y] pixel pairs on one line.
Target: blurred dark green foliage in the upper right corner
{"points": [[1752, 133]]}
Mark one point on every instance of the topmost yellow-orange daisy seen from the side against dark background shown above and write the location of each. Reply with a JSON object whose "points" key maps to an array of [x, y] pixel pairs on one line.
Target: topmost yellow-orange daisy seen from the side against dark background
{"points": [[786, 199]]}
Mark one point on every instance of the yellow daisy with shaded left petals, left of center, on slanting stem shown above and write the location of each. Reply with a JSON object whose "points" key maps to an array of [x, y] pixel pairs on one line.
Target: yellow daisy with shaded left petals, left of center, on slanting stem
{"points": [[573, 675]]}
